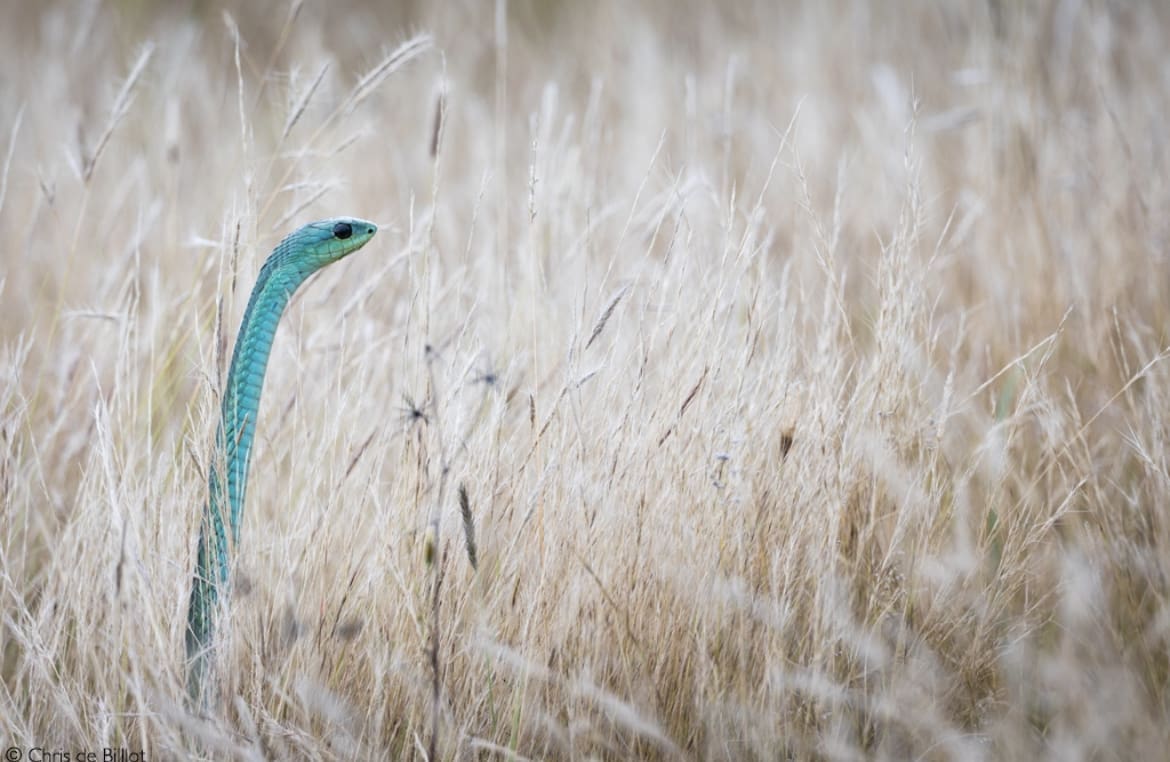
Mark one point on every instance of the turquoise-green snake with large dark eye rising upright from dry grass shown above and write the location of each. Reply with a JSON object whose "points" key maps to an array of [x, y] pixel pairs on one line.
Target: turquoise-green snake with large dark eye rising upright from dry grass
{"points": [[287, 269]]}
